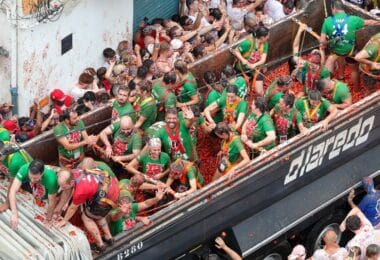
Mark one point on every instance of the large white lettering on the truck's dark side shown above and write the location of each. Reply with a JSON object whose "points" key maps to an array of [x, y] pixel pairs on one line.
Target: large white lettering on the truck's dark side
{"points": [[313, 156]]}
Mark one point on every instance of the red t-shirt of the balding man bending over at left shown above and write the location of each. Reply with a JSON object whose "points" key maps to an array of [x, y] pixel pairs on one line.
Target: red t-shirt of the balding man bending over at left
{"points": [[87, 187]]}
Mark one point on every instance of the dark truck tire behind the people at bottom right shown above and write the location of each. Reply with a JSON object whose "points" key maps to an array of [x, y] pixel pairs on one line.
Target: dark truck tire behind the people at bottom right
{"points": [[314, 238]]}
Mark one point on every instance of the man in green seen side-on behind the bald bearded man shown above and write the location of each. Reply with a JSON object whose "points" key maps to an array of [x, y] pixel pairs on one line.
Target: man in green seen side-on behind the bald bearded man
{"points": [[147, 106]]}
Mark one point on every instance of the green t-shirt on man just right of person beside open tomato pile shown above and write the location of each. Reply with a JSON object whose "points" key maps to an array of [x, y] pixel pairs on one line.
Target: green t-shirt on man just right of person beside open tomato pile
{"points": [[263, 125]]}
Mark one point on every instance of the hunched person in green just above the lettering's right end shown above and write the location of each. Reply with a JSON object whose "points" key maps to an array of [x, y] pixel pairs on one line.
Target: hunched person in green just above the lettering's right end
{"points": [[336, 92]]}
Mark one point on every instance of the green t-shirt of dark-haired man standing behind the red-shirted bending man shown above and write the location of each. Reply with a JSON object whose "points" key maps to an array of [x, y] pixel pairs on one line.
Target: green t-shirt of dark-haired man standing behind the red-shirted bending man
{"points": [[73, 135]]}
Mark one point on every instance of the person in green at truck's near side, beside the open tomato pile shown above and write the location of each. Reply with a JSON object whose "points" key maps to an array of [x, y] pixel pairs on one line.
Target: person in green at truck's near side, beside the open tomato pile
{"points": [[232, 155]]}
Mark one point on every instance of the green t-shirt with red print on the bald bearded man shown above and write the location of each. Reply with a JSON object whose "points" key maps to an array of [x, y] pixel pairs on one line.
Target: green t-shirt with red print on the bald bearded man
{"points": [[124, 145]]}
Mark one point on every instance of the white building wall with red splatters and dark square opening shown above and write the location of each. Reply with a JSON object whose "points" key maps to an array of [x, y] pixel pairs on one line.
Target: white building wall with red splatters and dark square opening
{"points": [[95, 25]]}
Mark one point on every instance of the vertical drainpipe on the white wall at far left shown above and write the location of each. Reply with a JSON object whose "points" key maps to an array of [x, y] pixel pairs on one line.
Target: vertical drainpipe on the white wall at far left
{"points": [[15, 63]]}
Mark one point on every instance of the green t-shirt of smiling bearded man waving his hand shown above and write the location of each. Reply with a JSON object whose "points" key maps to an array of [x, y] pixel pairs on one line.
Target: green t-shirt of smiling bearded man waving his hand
{"points": [[171, 145]]}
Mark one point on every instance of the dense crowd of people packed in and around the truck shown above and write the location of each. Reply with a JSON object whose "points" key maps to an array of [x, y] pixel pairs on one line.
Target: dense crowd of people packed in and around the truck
{"points": [[157, 113]]}
